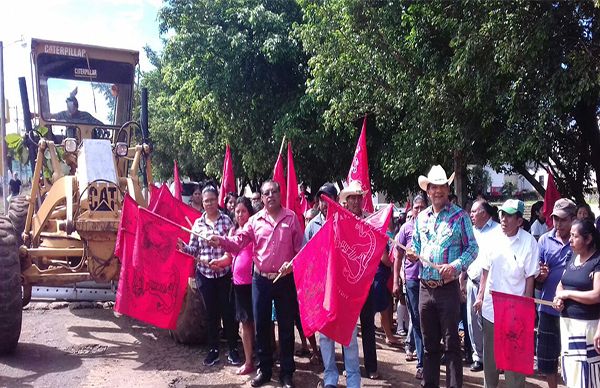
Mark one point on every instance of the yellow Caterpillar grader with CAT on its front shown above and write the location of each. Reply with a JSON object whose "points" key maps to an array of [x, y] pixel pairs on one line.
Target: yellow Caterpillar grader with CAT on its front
{"points": [[85, 154]]}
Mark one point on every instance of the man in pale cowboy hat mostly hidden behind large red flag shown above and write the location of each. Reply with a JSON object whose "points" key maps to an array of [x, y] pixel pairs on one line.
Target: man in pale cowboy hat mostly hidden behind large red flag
{"points": [[352, 196]]}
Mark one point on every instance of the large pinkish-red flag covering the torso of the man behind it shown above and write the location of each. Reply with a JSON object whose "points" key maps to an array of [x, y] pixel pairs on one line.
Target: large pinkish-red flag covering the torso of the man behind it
{"points": [[347, 250]]}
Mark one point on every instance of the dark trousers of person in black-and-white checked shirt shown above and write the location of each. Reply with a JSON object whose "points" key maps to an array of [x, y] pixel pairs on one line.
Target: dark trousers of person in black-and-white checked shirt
{"points": [[217, 294]]}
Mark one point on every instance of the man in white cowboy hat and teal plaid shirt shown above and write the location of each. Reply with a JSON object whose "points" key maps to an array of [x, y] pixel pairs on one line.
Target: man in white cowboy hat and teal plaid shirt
{"points": [[443, 235]]}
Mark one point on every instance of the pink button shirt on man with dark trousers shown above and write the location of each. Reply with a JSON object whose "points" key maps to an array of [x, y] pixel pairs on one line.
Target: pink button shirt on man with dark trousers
{"points": [[275, 241]]}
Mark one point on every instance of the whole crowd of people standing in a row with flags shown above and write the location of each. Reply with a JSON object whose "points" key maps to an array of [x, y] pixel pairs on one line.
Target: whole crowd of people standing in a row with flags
{"points": [[438, 274]]}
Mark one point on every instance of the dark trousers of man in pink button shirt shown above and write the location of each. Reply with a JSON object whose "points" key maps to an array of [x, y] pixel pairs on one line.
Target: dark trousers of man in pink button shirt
{"points": [[283, 293]]}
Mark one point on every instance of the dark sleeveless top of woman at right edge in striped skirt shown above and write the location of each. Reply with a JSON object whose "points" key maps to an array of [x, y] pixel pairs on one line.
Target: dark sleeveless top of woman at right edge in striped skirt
{"points": [[581, 278]]}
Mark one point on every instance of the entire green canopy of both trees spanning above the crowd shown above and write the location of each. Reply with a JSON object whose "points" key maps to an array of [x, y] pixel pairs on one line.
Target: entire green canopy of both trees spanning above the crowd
{"points": [[502, 83]]}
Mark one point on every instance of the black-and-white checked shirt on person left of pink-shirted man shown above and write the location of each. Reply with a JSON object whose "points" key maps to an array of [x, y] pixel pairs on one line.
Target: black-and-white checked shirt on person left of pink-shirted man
{"points": [[200, 249]]}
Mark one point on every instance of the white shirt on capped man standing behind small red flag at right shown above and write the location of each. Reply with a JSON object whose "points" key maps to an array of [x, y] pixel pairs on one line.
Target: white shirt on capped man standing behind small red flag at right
{"points": [[509, 264]]}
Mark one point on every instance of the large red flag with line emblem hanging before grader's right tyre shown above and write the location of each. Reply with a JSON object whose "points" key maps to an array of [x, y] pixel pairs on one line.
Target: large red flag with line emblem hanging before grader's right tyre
{"points": [[155, 281]]}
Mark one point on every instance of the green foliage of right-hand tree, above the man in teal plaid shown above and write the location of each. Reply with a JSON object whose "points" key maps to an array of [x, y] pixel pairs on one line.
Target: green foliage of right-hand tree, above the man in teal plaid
{"points": [[506, 83]]}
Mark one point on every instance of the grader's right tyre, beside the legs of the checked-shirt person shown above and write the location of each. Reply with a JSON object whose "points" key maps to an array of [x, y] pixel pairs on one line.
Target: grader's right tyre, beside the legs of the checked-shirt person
{"points": [[191, 323]]}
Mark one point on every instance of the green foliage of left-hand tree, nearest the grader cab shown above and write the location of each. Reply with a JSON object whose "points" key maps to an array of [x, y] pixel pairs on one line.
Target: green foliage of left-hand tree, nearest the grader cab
{"points": [[234, 72]]}
